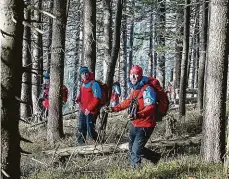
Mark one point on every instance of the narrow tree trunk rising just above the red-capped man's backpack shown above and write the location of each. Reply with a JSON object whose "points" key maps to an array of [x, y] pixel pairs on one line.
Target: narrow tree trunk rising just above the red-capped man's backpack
{"points": [[161, 43]]}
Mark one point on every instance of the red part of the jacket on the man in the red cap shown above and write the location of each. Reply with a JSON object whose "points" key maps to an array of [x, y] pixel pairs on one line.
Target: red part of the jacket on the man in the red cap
{"points": [[146, 114]]}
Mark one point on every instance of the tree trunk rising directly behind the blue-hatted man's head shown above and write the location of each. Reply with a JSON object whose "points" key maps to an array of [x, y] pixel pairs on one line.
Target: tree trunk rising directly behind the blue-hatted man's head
{"points": [[89, 30]]}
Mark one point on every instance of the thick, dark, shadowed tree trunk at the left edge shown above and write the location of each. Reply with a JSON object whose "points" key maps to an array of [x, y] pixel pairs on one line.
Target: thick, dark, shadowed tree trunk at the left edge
{"points": [[11, 65]]}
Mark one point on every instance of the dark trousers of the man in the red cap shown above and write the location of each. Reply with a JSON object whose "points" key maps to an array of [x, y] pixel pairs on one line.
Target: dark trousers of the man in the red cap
{"points": [[137, 139]]}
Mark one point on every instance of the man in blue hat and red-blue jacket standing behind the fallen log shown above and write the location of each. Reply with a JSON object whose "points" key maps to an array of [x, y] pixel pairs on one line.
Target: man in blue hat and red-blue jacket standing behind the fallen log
{"points": [[88, 99]]}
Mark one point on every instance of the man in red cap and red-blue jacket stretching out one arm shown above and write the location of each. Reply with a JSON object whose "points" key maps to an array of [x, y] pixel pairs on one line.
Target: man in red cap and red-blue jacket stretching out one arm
{"points": [[142, 105]]}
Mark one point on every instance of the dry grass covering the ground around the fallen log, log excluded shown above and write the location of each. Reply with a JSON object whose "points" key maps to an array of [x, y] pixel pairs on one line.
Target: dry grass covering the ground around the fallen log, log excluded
{"points": [[181, 162]]}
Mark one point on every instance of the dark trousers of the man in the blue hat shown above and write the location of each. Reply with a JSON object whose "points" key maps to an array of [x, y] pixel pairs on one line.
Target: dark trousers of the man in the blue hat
{"points": [[86, 125]]}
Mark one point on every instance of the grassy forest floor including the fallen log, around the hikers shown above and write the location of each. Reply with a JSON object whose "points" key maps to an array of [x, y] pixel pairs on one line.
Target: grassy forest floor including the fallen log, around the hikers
{"points": [[177, 155]]}
